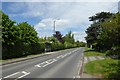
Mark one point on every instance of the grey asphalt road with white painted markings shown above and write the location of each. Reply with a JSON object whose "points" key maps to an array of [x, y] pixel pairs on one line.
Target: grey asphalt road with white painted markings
{"points": [[61, 64]]}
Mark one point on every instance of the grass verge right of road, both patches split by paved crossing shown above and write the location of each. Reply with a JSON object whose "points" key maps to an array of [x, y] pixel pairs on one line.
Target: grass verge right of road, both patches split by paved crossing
{"points": [[106, 68]]}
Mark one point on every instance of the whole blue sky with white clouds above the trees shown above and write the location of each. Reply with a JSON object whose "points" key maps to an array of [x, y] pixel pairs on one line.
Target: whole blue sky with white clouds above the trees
{"points": [[69, 16]]}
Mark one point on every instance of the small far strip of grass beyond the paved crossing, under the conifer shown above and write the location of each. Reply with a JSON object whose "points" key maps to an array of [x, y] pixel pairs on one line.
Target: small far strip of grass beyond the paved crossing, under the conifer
{"points": [[92, 52]]}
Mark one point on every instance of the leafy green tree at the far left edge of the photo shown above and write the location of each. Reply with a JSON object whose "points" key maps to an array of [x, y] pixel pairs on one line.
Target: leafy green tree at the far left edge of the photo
{"points": [[7, 30]]}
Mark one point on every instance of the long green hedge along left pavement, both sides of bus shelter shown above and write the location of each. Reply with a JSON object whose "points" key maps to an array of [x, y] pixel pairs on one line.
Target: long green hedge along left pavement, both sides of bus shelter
{"points": [[21, 50]]}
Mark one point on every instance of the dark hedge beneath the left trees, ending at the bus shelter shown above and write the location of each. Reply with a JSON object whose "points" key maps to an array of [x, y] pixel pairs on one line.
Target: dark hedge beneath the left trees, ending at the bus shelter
{"points": [[20, 50]]}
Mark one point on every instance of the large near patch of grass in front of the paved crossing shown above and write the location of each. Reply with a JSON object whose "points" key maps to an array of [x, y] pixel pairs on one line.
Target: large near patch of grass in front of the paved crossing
{"points": [[106, 68]]}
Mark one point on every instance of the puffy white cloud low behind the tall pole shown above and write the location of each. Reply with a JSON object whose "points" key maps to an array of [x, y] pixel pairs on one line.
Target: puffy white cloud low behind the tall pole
{"points": [[46, 26]]}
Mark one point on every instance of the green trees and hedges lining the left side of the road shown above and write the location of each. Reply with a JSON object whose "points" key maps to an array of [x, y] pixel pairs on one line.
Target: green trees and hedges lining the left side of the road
{"points": [[21, 39]]}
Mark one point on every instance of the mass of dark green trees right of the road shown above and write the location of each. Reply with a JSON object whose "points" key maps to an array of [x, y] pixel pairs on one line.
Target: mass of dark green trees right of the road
{"points": [[104, 33]]}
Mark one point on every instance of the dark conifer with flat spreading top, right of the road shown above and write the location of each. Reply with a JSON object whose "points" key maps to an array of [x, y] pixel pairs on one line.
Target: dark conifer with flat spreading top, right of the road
{"points": [[95, 29]]}
